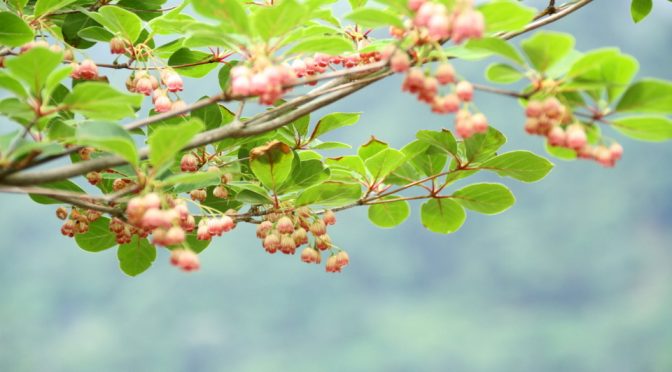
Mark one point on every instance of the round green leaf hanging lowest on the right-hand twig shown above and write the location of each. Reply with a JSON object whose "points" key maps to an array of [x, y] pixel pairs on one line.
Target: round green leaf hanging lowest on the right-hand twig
{"points": [[442, 216]]}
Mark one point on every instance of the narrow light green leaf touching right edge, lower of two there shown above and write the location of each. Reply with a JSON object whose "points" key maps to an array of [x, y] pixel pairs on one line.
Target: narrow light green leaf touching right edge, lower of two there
{"points": [[645, 128]]}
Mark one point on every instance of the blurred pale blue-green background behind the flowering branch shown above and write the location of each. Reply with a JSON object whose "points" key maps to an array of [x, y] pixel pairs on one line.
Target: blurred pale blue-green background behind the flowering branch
{"points": [[577, 276]]}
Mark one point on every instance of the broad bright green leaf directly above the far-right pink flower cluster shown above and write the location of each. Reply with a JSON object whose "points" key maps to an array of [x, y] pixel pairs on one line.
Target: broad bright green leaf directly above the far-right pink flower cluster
{"points": [[547, 48]]}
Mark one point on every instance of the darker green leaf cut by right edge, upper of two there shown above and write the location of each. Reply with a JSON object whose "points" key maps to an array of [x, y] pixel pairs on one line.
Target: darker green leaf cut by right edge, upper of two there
{"points": [[647, 96]]}
